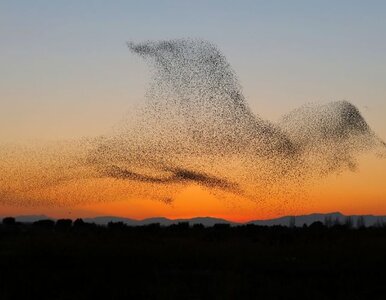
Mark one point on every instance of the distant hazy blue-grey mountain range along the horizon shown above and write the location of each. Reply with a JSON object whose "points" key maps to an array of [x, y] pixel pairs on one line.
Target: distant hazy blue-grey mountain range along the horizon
{"points": [[209, 221]]}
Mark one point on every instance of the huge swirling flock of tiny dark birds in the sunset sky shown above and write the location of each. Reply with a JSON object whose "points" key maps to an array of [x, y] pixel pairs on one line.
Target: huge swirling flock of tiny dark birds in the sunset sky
{"points": [[195, 127]]}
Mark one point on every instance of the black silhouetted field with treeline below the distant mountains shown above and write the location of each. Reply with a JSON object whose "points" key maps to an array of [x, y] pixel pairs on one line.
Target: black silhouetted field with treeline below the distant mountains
{"points": [[45, 260]]}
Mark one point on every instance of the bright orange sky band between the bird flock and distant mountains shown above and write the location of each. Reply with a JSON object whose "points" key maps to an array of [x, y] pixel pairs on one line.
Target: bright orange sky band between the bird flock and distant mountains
{"points": [[360, 192]]}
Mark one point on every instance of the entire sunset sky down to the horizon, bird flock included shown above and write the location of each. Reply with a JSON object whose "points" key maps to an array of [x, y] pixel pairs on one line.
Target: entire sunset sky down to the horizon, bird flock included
{"points": [[113, 120]]}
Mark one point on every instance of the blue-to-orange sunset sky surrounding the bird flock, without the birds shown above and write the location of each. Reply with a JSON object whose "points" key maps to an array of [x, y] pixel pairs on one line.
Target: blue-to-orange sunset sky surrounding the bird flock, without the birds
{"points": [[67, 73]]}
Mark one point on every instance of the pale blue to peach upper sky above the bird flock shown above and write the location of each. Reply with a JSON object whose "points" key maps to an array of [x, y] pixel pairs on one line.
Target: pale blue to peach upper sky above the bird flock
{"points": [[66, 71]]}
